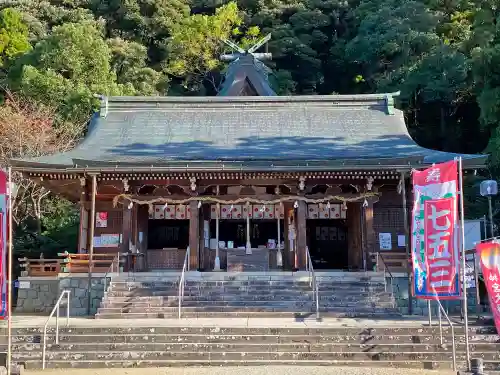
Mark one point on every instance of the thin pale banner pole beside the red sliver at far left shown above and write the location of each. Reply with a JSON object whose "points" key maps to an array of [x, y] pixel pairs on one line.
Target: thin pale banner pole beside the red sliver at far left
{"points": [[9, 274]]}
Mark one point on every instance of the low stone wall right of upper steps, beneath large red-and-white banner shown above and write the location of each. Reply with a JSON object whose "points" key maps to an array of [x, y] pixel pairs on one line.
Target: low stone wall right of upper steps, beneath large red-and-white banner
{"points": [[420, 307]]}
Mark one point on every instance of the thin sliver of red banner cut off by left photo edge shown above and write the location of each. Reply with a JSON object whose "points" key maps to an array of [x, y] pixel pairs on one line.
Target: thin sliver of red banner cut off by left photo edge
{"points": [[3, 244]]}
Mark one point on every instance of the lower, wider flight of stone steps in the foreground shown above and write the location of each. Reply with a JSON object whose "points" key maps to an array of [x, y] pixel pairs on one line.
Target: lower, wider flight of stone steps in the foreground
{"points": [[167, 346]]}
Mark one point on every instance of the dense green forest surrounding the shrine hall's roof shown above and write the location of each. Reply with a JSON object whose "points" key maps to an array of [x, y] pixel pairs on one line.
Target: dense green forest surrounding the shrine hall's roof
{"points": [[55, 55]]}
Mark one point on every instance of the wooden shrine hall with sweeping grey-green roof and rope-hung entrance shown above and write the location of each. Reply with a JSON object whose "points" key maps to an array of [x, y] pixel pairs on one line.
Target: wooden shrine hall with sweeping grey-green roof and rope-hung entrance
{"points": [[246, 180]]}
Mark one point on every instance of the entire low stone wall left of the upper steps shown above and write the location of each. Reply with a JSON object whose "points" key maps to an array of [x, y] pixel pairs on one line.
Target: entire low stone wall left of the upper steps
{"points": [[39, 295]]}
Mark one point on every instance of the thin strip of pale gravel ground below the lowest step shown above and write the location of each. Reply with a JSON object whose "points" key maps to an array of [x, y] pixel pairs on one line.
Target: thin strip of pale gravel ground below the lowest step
{"points": [[263, 370]]}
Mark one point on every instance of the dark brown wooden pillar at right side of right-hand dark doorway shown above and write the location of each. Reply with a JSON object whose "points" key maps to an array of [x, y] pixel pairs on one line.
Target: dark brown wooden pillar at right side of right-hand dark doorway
{"points": [[354, 236]]}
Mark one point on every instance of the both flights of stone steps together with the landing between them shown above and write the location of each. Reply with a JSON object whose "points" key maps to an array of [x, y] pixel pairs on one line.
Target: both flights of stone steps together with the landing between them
{"points": [[217, 336]]}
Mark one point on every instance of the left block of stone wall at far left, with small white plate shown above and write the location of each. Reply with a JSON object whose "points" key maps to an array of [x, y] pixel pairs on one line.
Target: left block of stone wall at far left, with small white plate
{"points": [[39, 297]]}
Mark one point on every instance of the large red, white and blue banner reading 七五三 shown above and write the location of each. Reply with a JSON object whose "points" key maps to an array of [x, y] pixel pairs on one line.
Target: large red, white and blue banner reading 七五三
{"points": [[434, 242]]}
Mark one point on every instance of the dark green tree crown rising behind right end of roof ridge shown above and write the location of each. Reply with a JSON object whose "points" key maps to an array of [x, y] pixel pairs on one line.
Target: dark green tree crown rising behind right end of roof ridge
{"points": [[392, 39]]}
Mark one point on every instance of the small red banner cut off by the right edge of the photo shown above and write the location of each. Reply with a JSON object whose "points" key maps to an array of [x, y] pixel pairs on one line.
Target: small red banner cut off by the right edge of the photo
{"points": [[489, 257]]}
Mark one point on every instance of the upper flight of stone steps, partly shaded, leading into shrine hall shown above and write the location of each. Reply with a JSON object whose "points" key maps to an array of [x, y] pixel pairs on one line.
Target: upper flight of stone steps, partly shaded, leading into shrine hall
{"points": [[244, 295]]}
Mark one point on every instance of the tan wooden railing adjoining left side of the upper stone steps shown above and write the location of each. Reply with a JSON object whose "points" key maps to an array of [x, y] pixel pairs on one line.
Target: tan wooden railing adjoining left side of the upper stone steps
{"points": [[79, 263]]}
